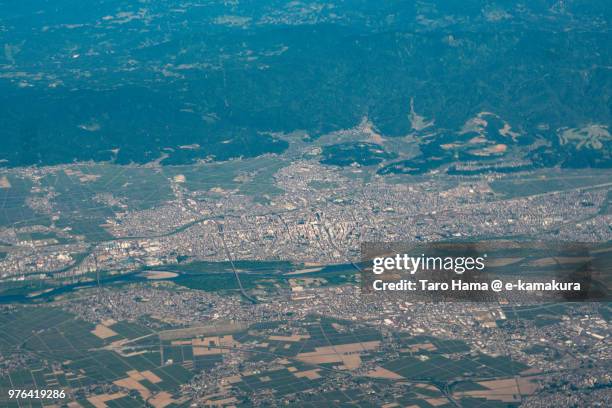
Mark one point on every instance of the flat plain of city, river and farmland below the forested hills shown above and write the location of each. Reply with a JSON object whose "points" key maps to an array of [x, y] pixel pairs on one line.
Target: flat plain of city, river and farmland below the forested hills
{"points": [[158, 291]]}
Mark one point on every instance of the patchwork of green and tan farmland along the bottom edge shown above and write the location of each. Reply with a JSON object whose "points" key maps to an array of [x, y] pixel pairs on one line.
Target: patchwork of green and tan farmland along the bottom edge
{"points": [[124, 364]]}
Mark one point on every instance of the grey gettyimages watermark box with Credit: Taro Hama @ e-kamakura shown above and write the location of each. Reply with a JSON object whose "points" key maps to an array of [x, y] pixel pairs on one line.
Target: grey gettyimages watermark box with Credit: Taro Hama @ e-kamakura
{"points": [[488, 271]]}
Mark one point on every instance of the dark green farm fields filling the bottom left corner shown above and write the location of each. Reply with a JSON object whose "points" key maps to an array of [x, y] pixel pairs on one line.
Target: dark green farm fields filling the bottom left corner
{"points": [[66, 355]]}
